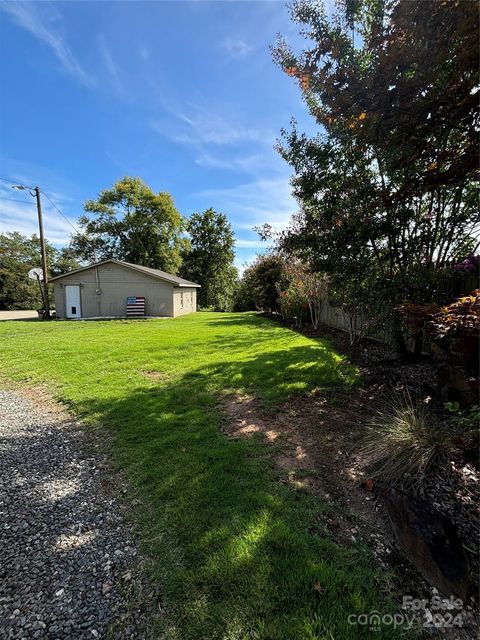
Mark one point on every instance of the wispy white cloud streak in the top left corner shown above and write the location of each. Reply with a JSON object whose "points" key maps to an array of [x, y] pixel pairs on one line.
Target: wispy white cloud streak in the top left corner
{"points": [[45, 27]]}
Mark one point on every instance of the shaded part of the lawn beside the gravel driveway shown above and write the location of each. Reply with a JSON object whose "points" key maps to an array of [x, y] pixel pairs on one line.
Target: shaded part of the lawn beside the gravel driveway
{"points": [[231, 543]]}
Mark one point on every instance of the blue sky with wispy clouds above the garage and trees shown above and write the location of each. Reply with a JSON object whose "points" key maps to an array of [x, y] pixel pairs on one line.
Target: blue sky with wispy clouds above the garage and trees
{"points": [[183, 94]]}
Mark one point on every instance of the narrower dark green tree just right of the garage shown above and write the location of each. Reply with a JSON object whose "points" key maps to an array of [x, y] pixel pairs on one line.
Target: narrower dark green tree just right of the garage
{"points": [[209, 261]]}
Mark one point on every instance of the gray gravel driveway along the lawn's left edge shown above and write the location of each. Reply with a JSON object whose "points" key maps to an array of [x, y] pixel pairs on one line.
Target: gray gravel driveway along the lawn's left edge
{"points": [[66, 555]]}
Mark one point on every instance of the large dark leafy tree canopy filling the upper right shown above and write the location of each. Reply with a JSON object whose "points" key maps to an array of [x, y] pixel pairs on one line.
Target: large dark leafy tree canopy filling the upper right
{"points": [[387, 188]]}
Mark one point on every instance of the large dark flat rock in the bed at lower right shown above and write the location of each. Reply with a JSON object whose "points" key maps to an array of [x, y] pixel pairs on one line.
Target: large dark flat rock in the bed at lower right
{"points": [[430, 541]]}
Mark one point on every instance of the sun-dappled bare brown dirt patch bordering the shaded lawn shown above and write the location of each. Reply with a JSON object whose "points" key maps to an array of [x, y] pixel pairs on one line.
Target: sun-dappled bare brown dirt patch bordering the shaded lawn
{"points": [[317, 434]]}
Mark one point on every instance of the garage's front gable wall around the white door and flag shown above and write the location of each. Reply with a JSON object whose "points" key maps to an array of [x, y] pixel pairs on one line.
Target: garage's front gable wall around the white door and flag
{"points": [[116, 284]]}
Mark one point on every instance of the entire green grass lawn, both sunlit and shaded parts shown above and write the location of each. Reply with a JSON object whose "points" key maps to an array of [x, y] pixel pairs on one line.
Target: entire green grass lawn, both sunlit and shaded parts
{"points": [[236, 552]]}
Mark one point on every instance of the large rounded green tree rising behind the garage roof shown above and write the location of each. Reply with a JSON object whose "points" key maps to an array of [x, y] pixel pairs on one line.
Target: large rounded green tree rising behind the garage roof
{"points": [[130, 222]]}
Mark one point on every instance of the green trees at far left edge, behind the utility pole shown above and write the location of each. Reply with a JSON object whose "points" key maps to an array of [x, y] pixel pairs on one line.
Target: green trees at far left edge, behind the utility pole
{"points": [[19, 254]]}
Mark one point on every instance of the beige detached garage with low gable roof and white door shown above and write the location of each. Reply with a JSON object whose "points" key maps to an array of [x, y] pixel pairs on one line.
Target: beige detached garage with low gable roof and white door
{"points": [[112, 288]]}
